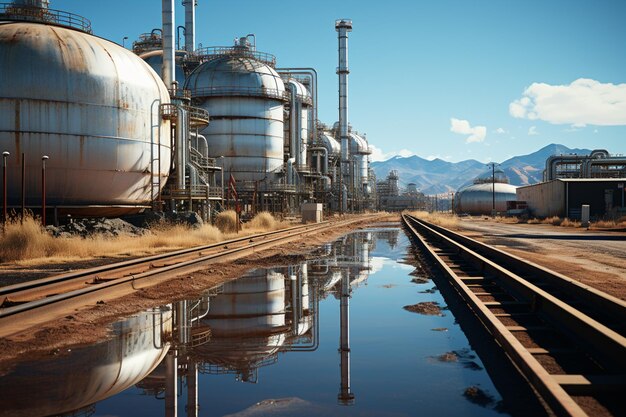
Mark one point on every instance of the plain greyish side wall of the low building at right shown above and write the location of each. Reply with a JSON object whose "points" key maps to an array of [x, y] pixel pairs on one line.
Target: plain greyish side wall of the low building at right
{"points": [[545, 199]]}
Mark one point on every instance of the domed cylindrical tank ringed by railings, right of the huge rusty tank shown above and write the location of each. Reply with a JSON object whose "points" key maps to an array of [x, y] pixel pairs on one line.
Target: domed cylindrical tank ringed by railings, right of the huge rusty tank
{"points": [[244, 96]]}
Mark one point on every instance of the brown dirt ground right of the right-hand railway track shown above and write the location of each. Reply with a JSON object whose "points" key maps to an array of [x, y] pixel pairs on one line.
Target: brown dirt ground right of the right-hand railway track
{"points": [[595, 258]]}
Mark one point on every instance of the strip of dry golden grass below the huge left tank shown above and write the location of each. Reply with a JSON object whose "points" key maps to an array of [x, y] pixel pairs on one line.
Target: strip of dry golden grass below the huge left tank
{"points": [[30, 244]]}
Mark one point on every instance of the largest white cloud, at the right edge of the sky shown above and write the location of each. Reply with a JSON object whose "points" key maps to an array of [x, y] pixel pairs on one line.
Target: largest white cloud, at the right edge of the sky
{"points": [[583, 102]]}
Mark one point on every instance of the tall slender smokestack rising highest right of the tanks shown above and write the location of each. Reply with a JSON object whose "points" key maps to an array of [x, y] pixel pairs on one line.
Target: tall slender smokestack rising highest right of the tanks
{"points": [[343, 26]]}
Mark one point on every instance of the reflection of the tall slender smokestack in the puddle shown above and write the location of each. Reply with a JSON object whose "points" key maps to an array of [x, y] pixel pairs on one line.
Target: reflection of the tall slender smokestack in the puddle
{"points": [[345, 397]]}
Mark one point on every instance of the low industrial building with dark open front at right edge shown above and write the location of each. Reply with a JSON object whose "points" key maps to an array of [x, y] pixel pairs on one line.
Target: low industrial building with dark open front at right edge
{"points": [[571, 181]]}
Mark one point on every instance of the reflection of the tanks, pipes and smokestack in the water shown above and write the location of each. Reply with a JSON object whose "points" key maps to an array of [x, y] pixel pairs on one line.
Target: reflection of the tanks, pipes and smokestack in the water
{"points": [[235, 329]]}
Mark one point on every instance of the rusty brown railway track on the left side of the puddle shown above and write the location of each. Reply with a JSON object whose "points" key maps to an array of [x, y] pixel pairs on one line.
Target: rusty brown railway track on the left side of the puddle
{"points": [[35, 302]]}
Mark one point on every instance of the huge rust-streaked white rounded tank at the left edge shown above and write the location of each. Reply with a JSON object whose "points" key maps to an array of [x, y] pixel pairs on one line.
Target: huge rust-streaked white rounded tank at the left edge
{"points": [[92, 107]]}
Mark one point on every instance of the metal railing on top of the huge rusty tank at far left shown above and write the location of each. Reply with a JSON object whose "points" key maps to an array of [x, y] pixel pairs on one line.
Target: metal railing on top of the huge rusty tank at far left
{"points": [[12, 12]]}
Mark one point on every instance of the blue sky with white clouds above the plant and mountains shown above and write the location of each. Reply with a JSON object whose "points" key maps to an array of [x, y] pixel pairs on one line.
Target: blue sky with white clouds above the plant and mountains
{"points": [[451, 79]]}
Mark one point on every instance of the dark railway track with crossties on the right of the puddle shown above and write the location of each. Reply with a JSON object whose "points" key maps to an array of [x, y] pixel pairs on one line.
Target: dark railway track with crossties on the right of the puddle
{"points": [[567, 339]]}
